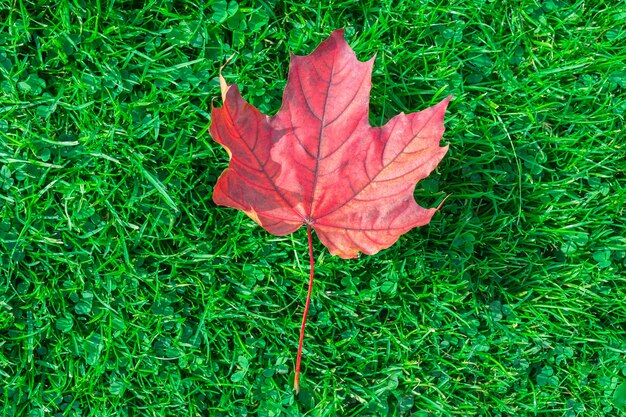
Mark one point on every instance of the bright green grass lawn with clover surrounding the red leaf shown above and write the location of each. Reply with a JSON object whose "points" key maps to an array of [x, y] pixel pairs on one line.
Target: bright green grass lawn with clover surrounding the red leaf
{"points": [[125, 291]]}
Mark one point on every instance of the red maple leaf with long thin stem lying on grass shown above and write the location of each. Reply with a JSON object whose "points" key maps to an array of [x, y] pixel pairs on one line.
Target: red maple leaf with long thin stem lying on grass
{"points": [[318, 162]]}
